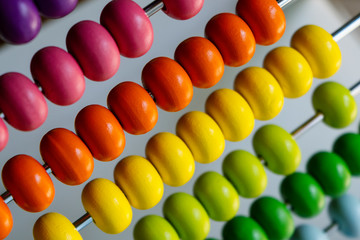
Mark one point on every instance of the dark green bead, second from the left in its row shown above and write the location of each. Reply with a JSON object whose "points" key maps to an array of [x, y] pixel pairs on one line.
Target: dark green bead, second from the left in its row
{"points": [[273, 216]]}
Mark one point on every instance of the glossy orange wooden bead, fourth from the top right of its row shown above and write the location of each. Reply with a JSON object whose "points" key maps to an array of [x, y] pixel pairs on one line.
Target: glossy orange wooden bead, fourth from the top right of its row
{"points": [[168, 82]]}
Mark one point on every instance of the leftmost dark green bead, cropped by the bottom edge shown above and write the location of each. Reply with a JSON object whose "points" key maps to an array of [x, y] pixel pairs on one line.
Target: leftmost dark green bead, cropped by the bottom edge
{"points": [[243, 228]]}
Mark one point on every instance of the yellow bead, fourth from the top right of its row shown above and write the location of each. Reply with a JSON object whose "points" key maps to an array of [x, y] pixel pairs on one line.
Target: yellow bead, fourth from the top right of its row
{"points": [[233, 114]]}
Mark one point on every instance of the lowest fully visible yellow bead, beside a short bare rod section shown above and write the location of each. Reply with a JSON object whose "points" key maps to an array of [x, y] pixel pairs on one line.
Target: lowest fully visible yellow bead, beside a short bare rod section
{"points": [[107, 205]]}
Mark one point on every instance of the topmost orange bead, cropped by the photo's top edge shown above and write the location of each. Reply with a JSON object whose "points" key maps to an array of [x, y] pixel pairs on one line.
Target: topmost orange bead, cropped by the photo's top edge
{"points": [[265, 18]]}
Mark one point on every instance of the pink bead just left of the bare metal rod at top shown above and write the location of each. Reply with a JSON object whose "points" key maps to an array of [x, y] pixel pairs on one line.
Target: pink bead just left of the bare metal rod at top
{"points": [[130, 27]]}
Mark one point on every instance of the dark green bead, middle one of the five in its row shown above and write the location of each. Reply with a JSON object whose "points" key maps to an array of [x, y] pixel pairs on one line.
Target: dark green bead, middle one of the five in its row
{"points": [[303, 193]]}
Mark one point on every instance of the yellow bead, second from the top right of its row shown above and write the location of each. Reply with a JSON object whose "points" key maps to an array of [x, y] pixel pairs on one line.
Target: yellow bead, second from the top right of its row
{"points": [[291, 70]]}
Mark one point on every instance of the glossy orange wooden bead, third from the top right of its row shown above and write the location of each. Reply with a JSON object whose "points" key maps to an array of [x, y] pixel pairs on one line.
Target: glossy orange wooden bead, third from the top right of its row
{"points": [[201, 60]]}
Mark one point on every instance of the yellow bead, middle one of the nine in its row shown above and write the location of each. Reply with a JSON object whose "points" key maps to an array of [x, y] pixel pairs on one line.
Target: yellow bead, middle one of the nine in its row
{"points": [[202, 135]]}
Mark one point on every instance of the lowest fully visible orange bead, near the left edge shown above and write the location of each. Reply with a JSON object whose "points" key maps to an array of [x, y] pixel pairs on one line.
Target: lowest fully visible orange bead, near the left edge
{"points": [[28, 182]]}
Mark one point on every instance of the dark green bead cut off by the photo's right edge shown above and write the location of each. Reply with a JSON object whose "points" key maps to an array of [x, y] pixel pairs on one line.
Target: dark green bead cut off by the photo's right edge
{"points": [[347, 146]]}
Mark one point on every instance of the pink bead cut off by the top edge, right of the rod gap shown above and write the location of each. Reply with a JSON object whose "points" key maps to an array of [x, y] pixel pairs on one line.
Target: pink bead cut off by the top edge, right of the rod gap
{"points": [[182, 9]]}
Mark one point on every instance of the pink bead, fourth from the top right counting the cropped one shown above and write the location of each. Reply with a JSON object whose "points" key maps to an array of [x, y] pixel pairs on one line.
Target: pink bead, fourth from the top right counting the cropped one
{"points": [[59, 75]]}
